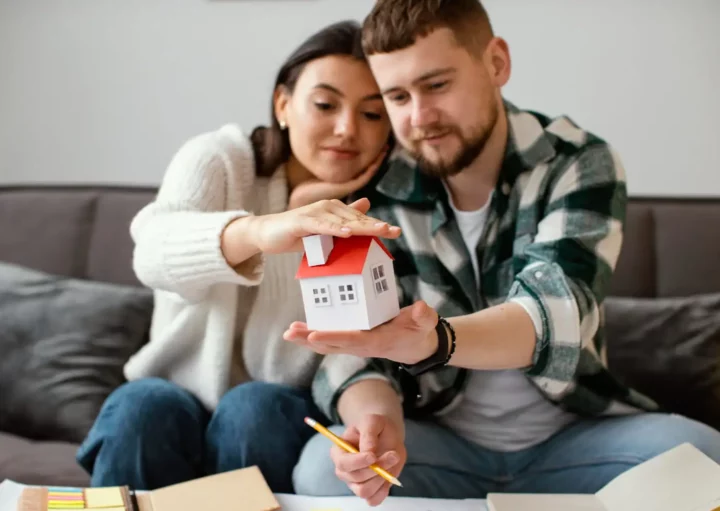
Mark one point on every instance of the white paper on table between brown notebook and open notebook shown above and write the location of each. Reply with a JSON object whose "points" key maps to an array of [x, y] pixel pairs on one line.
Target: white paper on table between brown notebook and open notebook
{"points": [[302, 503]]}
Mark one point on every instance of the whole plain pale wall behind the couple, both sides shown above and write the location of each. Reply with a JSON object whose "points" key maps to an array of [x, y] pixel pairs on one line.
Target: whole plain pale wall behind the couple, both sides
{"points": [[104, 91]]}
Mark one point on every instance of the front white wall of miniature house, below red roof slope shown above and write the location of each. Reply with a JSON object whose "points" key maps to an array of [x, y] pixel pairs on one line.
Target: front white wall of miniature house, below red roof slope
{"points": [[337, 315]]}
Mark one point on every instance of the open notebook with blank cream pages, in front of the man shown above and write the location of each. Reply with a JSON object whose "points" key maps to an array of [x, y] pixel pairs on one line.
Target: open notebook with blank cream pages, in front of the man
{"points": [[681, 479]]}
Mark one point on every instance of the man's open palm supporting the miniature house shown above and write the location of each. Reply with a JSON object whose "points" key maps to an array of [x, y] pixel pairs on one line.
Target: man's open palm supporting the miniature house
{"points": [[408, 338]]}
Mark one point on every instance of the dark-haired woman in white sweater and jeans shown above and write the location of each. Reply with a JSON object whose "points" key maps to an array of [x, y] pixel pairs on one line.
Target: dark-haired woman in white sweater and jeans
{"points": [[217, 388]]}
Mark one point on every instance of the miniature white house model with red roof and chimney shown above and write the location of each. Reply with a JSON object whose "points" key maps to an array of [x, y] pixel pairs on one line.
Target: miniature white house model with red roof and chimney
{"points": [[347, 283]]}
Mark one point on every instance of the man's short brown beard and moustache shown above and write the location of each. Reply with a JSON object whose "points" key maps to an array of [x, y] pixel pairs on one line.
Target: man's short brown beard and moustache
{"points": [[470, 149]]}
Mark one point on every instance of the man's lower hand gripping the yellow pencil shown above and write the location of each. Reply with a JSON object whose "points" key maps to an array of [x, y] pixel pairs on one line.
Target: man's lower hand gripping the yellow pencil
{"points": [[379, 441]]}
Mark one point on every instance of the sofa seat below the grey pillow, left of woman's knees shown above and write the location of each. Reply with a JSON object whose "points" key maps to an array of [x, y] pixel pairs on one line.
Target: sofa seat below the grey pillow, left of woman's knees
{"points": [[44, 463]]}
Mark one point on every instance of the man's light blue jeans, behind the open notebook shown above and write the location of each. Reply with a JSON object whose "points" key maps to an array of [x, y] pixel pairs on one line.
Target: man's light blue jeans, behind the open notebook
{"points": [[580, 459]]}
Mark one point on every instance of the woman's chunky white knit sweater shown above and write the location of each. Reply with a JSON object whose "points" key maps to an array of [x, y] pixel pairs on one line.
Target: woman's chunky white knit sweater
{"points": [[209, 317]]}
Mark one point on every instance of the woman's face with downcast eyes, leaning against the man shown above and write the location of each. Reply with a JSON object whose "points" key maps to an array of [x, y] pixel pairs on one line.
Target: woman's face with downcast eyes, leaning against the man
{"points": [[335, 117]]}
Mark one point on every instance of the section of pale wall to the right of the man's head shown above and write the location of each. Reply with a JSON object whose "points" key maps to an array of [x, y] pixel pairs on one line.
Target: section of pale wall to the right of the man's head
{"points": [[643, 74]]}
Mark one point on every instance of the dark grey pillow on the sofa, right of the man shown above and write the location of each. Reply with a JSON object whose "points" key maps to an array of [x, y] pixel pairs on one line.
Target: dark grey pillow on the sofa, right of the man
{"points": [[669, 349]]}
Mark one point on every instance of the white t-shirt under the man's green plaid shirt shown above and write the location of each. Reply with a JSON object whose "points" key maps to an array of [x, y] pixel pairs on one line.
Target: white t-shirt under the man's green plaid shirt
{"points": [[501, 410]]}
